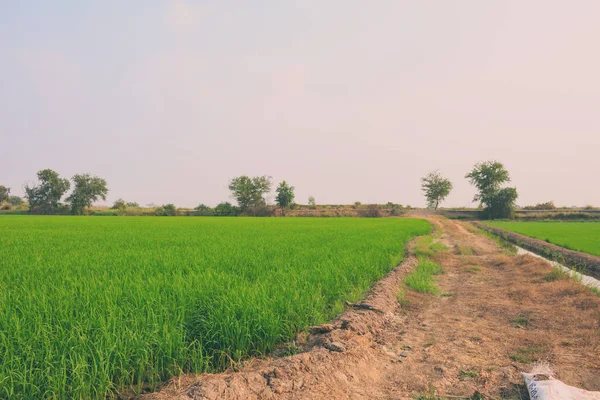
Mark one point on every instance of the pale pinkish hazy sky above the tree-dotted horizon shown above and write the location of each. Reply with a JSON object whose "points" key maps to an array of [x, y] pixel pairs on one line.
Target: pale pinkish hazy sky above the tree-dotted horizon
{"points": [[346, 100]]}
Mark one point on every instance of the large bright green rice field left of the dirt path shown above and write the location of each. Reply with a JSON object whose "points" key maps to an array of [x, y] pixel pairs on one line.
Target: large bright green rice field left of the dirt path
{"points": [[91, 306]]}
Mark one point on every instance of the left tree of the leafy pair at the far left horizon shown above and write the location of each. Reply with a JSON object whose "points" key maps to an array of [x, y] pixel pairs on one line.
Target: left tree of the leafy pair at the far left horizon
{"points": [[44, 197]]}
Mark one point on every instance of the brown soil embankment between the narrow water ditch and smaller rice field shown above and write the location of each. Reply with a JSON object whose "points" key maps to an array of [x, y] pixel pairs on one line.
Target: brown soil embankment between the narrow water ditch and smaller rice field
{"points": [[590, 263]]}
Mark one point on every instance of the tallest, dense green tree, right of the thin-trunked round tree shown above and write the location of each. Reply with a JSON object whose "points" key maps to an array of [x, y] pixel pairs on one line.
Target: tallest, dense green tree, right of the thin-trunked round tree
{"points": [[488, 178]]}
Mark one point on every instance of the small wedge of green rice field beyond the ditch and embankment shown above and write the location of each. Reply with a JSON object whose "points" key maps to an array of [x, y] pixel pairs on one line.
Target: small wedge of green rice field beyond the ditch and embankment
{"points": [[579, 236]]}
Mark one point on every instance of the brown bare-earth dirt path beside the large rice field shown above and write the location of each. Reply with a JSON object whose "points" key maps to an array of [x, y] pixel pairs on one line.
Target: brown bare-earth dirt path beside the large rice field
{"points": [[495, 316]]}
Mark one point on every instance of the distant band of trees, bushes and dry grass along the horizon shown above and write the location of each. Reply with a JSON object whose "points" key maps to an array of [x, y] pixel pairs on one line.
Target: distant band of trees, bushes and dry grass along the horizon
{"points": [[250, 194]]}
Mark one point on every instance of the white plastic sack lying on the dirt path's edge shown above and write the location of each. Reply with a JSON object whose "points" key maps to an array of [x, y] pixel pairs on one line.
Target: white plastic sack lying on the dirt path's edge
{"points": [[545, 387]]}
